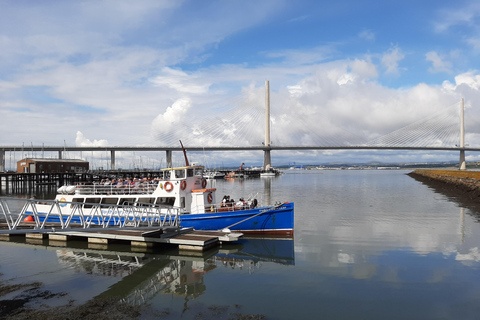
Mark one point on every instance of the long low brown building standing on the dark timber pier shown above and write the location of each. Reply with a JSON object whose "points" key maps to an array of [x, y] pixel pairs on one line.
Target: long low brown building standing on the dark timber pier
{"points": [[51, 165]]}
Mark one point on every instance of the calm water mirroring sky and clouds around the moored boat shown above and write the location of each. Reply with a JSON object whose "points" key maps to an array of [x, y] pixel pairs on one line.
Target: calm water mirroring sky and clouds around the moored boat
{"points": [[368, 245]]}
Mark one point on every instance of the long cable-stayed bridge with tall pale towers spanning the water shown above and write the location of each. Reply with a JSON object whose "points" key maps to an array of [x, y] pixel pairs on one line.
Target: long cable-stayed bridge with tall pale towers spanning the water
{"points": [[246, 126]]}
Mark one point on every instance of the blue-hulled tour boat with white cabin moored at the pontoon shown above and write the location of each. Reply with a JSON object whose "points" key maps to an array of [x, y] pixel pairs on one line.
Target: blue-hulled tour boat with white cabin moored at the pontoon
{"points": [[184, 188]]}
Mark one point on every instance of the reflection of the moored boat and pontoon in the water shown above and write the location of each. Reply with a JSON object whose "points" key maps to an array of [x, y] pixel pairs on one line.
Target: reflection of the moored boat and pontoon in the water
{"points": [[143, 276]]}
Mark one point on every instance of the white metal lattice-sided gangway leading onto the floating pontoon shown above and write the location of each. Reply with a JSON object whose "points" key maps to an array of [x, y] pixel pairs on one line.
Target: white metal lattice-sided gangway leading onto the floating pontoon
{"points": [[19, 216]]}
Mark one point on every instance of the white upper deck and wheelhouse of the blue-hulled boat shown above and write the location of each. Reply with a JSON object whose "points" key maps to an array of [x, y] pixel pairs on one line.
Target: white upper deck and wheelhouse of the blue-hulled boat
{"points": [[183, 187]]}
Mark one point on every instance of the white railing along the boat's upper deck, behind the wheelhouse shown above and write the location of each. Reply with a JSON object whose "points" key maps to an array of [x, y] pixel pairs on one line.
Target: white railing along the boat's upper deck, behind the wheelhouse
{"points": [[99, 189]]}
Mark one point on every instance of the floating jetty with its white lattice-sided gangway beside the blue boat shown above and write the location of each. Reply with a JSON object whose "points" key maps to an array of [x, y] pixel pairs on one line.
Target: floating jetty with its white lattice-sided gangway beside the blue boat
{"points": [[113, 223]]}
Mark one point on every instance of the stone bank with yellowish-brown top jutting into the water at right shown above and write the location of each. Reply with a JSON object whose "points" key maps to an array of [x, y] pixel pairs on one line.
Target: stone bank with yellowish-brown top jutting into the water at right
{"points": [[463, 183]]}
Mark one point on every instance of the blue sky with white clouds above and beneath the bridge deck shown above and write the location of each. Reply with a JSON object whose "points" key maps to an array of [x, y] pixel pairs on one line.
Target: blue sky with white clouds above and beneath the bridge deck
{"points": [[151, 72]]}
